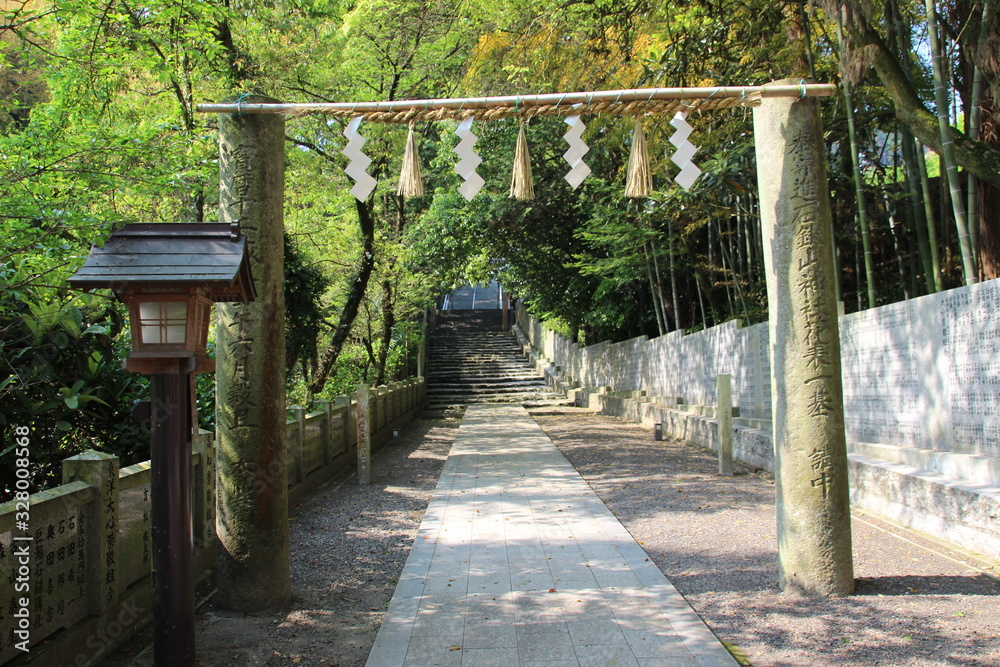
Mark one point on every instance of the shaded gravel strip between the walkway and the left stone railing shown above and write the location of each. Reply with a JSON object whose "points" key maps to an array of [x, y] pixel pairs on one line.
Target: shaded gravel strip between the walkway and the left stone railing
{"points": [[348, 547]]}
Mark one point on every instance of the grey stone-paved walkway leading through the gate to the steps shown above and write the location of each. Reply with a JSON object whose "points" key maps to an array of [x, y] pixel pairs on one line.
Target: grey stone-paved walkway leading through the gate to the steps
{"points": [[518, 562]]}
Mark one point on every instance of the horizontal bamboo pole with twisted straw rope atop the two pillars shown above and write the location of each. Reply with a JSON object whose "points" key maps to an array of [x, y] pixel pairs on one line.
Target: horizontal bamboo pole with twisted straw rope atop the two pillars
{"points": [[601, 101]]}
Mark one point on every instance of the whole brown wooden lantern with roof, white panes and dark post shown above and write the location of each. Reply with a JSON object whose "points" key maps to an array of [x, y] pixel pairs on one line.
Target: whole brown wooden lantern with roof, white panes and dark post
{"points": [[169, 275]]}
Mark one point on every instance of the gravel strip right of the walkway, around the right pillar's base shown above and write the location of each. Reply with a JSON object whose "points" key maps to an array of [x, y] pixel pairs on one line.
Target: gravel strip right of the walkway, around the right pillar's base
{"points": [[918, 602]]}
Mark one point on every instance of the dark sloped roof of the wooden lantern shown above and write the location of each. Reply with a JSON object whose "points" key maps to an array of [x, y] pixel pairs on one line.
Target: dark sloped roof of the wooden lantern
{"points": [[159, 255]]}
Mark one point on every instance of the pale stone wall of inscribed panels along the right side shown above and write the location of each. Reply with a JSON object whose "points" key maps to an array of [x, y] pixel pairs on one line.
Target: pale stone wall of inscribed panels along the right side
{"points": [[919, 373]]}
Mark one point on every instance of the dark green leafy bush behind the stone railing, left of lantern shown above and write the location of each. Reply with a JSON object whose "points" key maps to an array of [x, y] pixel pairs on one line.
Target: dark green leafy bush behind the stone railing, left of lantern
{"points": [[62, 378]]}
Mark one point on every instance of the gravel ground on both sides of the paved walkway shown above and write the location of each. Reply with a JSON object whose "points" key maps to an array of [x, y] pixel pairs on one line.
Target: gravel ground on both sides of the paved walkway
{"points": [[918, 602]]}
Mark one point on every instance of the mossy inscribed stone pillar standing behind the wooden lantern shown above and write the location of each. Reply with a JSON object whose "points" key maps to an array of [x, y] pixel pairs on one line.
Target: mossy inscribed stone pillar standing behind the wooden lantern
{"points": [[252, 500]]}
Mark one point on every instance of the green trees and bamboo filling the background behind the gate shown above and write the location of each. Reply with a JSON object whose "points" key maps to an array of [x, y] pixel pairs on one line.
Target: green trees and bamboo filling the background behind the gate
{"points": [[98, 128]]}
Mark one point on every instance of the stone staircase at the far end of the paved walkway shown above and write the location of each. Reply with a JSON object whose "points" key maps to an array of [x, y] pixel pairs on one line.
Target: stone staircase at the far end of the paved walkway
{"points": [[471, 360]]}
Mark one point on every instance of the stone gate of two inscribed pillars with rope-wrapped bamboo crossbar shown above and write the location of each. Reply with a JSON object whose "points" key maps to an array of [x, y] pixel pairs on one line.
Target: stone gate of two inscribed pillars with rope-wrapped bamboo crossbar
{"points": [[813, 512]]}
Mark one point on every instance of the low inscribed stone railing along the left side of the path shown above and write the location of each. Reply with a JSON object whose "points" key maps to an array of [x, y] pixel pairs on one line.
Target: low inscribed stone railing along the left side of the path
{"points": [[83, 566]]}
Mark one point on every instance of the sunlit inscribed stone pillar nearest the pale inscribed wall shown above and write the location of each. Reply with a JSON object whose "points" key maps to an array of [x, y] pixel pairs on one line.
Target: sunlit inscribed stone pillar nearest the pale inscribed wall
{"points": [[813, 507]]}
